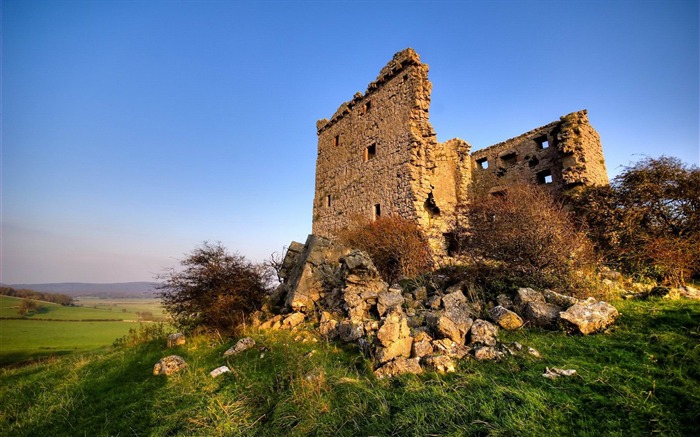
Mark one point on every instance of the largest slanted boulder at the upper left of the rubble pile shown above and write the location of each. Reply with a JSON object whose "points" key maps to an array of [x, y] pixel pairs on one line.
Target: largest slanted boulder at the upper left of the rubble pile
{"points": [[307, 270]]}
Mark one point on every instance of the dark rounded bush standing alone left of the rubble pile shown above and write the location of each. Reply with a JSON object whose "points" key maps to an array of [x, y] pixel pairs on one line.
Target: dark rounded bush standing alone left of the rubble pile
{"points": [[214, 289]]}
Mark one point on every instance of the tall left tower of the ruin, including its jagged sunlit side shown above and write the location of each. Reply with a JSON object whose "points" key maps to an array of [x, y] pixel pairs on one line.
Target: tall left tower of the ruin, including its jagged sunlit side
{"points": [[378, 155]]}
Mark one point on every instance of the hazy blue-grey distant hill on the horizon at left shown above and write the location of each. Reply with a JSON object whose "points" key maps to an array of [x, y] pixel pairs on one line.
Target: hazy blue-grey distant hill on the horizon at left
{"points": [[75, 289]]}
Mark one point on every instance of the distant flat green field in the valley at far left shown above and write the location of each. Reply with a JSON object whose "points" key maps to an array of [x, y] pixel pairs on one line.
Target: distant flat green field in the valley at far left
{"points": [[70, 330]]}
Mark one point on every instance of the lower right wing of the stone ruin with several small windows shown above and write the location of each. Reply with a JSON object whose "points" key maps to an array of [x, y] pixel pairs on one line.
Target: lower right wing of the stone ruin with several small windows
{"points": [[559, 155]]}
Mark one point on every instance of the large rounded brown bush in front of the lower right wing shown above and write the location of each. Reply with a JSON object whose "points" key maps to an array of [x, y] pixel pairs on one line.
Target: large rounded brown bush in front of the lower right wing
{"points": [[525, 233]]}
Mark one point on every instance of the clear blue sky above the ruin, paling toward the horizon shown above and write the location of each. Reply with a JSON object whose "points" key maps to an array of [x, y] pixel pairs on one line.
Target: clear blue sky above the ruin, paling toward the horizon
{"points": [[134, 131]]}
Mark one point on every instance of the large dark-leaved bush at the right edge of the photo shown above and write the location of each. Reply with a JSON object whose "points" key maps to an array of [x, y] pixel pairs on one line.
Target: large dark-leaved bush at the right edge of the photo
{"points": [[647, 223]]}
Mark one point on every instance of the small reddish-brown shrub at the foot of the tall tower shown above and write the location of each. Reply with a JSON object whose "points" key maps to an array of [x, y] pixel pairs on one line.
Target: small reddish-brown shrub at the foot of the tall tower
{"points": [[396, 245]]}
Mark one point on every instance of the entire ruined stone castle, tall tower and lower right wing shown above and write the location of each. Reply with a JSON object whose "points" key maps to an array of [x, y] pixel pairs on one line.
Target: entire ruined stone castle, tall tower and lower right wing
{"points": [[378, 155]]}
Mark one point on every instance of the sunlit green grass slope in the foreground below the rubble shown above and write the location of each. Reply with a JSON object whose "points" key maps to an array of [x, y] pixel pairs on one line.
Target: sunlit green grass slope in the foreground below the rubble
{"points": [[641, 377]]}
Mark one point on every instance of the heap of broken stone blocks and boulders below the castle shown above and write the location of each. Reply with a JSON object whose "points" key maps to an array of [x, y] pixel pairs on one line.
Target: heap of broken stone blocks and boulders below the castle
{"points": [[405, 331]]}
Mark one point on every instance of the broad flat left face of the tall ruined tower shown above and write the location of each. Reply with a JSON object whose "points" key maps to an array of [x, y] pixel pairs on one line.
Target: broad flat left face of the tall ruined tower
{"points": [[366, 148]]}
